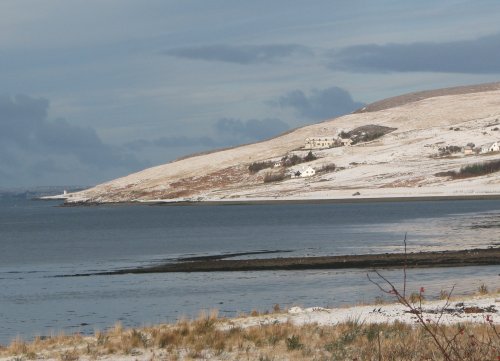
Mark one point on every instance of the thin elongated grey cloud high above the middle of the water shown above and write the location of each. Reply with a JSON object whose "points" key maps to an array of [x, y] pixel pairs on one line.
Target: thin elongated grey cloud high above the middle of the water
{"points": [[243, 54]]}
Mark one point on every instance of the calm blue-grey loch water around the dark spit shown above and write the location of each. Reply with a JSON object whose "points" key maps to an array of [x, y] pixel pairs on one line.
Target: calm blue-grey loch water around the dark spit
{"points": [[40, 240]]}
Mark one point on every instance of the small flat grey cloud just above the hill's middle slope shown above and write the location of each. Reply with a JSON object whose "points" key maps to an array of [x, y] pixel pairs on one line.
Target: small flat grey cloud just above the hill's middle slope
{"points": [[252, 129]]}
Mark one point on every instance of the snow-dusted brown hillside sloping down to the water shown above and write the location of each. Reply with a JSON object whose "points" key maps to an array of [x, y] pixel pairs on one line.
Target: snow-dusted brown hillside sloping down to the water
{"points": [[425, 136]]}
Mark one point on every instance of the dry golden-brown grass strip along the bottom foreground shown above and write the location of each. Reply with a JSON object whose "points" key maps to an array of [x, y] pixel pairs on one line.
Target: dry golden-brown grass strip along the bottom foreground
{"points": [[204, 339]]}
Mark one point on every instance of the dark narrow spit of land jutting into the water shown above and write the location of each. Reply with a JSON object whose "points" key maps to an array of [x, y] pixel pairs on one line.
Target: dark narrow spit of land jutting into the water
{"points": [[474, 257]]}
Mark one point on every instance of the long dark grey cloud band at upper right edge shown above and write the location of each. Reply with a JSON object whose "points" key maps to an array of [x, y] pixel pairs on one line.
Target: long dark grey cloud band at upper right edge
{"points": [[477, 56]]}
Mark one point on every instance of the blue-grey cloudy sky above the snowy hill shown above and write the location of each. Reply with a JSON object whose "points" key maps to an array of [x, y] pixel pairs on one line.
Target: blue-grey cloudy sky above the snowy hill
{"points": [[91, 90]]}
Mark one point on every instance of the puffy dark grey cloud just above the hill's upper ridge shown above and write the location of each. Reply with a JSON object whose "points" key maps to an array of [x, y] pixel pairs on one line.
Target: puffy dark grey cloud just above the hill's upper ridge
{"points": [[320, 104]]}
